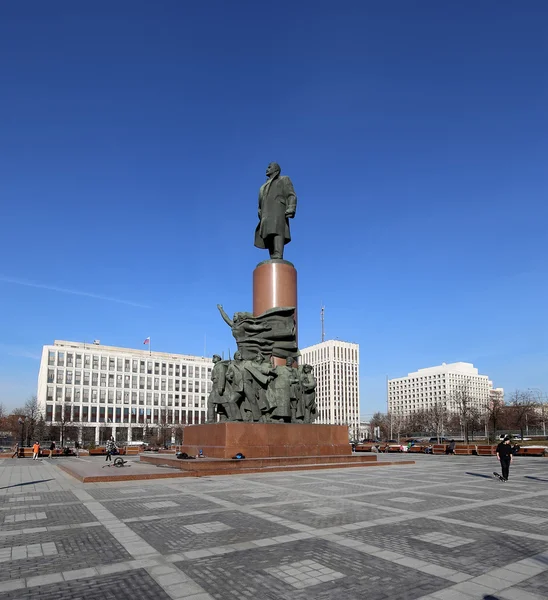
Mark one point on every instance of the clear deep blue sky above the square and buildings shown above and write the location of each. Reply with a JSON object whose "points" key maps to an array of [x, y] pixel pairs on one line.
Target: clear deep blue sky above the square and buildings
{"points": [[135, 135]]}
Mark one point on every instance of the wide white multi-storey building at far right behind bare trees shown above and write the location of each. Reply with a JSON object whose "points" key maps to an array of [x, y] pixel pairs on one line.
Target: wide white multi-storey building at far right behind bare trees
{"points": [[428, 387]]}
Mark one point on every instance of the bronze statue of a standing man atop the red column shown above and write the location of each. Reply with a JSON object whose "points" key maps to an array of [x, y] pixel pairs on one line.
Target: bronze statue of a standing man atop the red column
{"points": [[277, 204]]}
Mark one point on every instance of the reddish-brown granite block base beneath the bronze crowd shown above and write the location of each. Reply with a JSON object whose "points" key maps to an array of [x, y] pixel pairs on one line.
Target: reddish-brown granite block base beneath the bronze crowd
{"points": [[266, 440]]}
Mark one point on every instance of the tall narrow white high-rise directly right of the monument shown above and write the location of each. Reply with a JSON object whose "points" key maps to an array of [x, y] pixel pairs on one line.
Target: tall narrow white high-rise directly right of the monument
{"points": [[337, 371]]}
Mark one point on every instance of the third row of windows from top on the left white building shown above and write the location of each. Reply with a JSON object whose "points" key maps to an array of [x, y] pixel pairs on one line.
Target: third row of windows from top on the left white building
{"points": [[118, 397]]}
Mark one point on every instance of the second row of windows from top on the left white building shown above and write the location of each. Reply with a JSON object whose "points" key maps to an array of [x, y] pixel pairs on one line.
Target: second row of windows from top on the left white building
{"points": [[140, 382]]}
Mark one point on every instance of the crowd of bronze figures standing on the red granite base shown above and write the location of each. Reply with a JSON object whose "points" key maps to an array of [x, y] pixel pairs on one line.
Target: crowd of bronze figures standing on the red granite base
{"points": [[255, 391]]}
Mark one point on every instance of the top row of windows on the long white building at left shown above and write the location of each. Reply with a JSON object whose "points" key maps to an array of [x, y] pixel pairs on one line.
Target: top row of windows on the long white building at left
{"points": [[128, 365]]}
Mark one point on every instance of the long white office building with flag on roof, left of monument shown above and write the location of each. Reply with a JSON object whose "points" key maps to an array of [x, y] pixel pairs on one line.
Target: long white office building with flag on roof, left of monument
{"points": [[92, 386]]}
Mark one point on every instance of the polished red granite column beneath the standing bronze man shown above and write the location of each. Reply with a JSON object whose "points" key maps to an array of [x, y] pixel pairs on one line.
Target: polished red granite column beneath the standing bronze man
{"points": [[274, 285]]}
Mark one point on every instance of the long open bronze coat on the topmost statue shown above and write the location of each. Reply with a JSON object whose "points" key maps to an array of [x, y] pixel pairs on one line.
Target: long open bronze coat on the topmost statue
{"points": [[276, 197]]}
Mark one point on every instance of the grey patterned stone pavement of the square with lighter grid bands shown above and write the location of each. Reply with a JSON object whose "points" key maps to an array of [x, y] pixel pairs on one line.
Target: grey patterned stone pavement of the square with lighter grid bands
{"points": [[442, 529]]}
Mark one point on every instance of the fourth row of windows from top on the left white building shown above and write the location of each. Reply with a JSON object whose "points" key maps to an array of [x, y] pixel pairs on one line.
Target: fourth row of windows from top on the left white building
{"points": [[103, 414]]}
